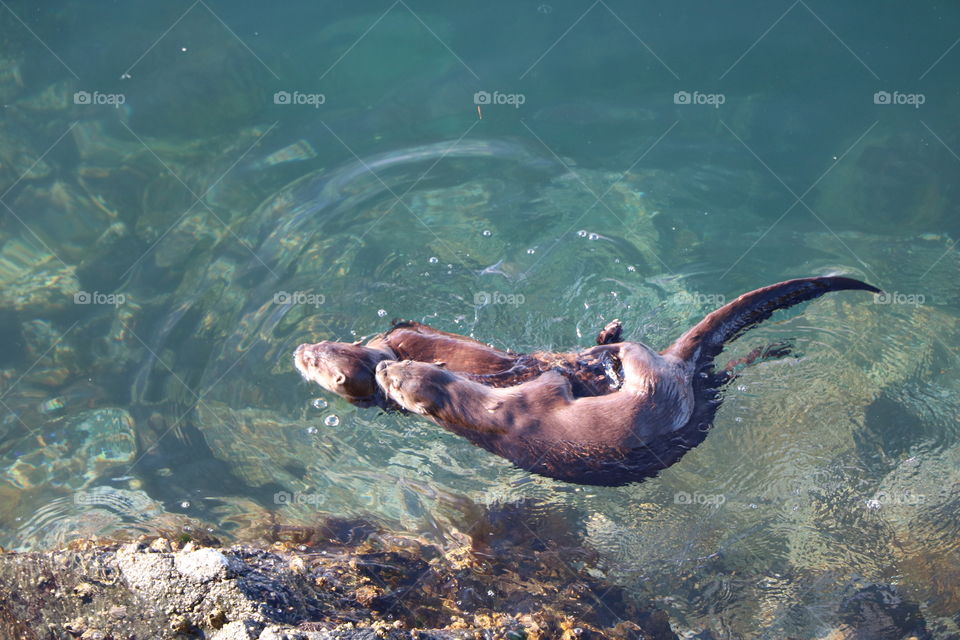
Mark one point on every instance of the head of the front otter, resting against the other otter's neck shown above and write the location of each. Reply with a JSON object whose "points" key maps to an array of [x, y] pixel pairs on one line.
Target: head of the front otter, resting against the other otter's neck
{"points": [[415, 386]]}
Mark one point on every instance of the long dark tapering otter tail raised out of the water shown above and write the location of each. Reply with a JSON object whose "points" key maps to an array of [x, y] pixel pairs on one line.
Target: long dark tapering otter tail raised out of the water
{"points": [[706, 339]]}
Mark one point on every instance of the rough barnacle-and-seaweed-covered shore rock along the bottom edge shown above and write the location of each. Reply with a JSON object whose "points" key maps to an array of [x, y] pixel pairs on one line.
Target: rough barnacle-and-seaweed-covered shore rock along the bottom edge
{"points": [[377, 587]]}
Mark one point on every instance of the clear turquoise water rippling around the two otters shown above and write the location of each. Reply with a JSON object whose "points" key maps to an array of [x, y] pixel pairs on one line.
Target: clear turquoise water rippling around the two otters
{"points": [[190, 190]]}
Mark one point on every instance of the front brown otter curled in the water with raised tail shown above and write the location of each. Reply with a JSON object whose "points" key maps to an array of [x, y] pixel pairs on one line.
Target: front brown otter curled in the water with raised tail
{"points": [[662, 409]]}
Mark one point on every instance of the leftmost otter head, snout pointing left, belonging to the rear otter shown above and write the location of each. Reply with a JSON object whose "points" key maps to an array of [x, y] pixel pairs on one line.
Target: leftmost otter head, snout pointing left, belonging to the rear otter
{"points": [[343, 368]]}
